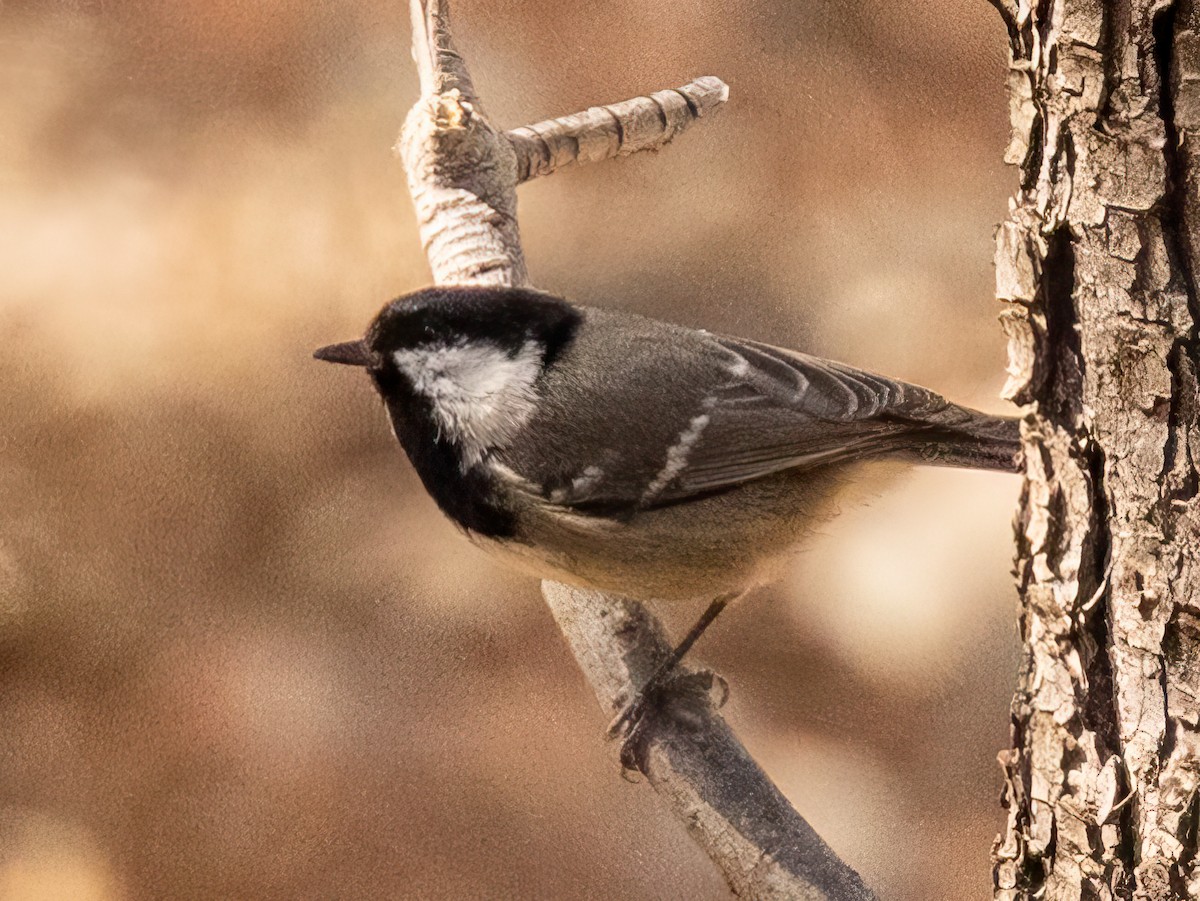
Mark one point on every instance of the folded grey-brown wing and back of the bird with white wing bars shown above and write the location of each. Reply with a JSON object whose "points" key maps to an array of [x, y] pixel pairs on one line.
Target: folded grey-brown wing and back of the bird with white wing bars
{"points": [[638, 415]]}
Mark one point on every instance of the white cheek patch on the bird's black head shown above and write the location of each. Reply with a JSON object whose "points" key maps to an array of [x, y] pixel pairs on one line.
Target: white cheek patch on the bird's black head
{"points": [[481, 395]]}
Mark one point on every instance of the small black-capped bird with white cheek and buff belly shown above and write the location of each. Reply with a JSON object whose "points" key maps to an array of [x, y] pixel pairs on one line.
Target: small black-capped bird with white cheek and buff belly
{"points": [[608, 450]]}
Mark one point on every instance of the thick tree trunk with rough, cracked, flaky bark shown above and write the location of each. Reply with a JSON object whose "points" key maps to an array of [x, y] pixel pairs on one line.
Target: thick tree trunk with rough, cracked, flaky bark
{"points": [[1097, 268]]}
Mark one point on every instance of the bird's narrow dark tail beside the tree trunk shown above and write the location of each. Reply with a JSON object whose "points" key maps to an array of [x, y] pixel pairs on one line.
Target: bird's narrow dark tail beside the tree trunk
{"points": [[977, 441]]}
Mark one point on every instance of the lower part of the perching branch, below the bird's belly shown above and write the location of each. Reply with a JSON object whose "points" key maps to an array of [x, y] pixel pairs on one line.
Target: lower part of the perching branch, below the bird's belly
{"points": [[695, 762]]}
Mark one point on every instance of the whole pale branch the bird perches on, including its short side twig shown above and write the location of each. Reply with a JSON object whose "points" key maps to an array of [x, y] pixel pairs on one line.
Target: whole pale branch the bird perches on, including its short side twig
{"points": [[464, 176]]}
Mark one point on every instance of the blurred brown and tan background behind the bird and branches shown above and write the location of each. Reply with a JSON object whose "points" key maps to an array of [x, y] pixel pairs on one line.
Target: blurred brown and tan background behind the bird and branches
{"points": [[241, 653]]}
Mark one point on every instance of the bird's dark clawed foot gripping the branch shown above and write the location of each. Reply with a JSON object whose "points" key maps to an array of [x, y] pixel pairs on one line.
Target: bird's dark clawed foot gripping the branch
{"points": [[677, 696]]}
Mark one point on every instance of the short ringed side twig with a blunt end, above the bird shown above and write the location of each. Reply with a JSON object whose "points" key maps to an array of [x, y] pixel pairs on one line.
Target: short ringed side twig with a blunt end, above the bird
{"points": [[646, 123]]}
